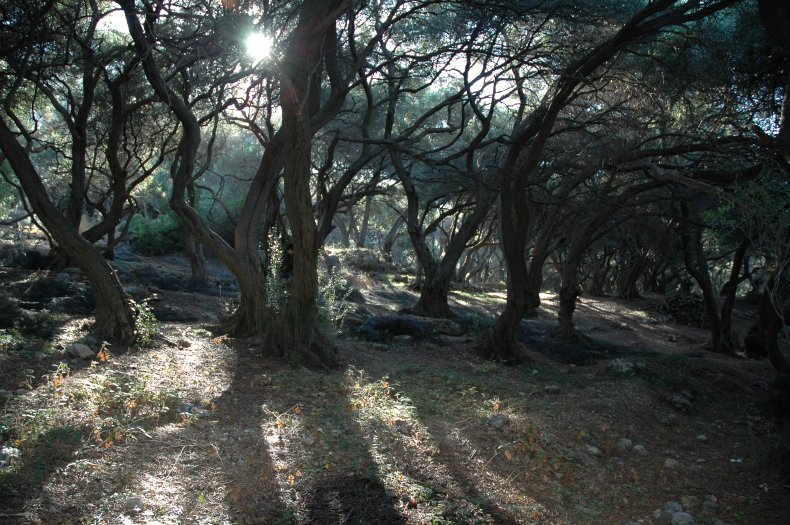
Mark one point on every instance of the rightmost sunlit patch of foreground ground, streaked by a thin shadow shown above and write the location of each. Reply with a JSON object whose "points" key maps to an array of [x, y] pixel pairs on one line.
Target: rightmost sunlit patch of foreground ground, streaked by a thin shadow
{"points": [[422, 469]]}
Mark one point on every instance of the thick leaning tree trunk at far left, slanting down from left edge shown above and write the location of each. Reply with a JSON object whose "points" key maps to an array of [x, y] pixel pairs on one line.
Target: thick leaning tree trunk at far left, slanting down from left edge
{"points": [[115, 319]]}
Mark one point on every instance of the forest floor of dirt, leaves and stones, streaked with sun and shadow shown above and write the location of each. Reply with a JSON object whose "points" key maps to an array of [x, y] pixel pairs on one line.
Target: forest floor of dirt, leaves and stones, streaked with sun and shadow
{"points": [[202, 429]]}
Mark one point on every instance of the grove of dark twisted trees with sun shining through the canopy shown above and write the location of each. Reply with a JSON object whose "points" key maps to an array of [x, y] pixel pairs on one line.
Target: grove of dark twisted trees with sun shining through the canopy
{"points": [[618, 147]]}
